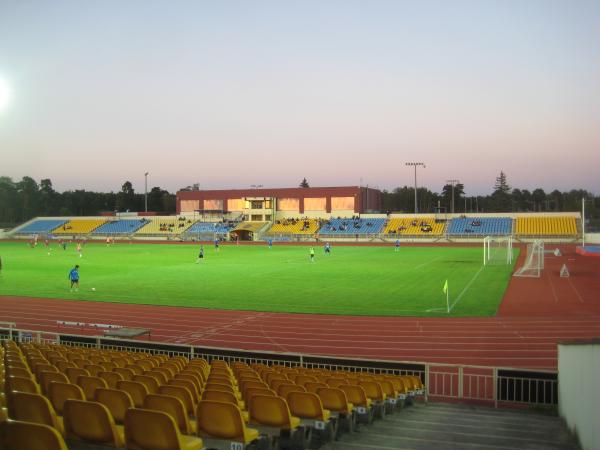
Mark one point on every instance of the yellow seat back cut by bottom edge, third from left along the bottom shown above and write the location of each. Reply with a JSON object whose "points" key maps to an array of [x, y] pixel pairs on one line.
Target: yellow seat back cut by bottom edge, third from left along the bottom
{"points": [[148, 429]]}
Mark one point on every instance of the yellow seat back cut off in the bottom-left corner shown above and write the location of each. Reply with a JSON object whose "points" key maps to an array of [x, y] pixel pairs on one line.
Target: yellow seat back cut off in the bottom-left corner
{"points": [[19, 435]]}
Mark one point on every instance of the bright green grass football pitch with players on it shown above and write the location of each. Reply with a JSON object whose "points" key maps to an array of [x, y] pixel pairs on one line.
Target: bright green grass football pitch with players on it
{"points": [[352, 280]]}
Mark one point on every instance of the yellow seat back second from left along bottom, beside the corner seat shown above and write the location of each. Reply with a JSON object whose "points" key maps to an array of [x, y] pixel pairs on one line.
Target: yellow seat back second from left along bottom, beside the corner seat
{"points": [[90, 421]]}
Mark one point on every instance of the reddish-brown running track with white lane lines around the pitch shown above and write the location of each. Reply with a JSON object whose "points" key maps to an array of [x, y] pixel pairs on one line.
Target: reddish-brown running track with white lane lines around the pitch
{"points": [[535, 315]]}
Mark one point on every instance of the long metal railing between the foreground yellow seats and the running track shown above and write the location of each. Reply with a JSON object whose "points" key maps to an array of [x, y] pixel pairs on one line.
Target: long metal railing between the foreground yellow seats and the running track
{"points": [[494, 386]]}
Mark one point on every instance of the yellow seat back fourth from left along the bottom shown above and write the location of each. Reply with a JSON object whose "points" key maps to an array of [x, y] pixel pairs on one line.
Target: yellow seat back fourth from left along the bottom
{"points": [[220, 420]]}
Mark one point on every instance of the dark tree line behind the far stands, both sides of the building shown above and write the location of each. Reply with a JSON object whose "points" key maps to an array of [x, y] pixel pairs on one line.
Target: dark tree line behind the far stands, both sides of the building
{"points": [[25, 199]]}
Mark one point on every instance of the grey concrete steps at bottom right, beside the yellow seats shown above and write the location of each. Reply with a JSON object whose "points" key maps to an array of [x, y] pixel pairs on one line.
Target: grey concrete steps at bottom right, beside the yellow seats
{"points": [[438, 426]]}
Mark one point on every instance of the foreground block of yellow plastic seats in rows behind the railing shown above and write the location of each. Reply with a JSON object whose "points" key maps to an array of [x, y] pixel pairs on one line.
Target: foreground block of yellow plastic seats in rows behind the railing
{"points": [[93, 395]]}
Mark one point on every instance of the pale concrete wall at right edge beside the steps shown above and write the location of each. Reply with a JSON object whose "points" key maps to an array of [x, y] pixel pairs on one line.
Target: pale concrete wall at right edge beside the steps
{"points": [[579, 390]]}
